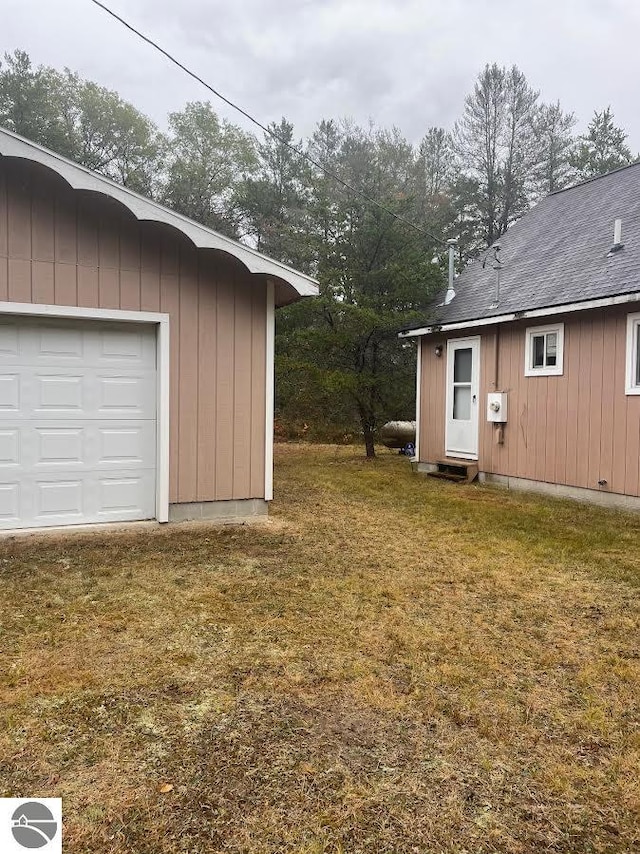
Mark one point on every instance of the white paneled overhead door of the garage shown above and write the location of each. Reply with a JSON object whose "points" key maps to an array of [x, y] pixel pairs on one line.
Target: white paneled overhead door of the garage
{"points": [[77, 422]]}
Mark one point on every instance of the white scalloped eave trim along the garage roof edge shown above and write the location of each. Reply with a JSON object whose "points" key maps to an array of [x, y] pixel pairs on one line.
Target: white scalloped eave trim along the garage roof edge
{"points": [[80, 178]]}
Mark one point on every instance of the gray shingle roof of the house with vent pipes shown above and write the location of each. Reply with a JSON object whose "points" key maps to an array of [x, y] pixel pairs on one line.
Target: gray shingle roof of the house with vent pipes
{"points": [[557, 253]]}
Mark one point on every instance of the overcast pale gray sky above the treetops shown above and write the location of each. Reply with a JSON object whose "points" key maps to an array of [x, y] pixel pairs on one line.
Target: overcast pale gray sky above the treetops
{"points": [[407, 63]]}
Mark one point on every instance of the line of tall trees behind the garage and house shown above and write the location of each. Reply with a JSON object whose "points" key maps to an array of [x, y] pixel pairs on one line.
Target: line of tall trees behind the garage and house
{"points": [[341, 370]]}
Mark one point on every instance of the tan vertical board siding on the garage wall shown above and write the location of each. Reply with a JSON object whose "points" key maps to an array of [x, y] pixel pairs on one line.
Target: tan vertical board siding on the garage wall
{"points": [[64, 247]]}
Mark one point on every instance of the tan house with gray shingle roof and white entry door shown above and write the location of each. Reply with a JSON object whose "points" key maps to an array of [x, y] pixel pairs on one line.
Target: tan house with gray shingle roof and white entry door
{"points": [[529, 366]]}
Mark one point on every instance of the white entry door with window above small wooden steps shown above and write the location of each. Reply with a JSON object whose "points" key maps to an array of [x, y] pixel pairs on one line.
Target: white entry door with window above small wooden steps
{"points": [[463, 375]]}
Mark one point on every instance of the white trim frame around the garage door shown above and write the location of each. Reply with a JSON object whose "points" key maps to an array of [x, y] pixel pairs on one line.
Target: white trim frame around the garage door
{"points": [[72, 312]]}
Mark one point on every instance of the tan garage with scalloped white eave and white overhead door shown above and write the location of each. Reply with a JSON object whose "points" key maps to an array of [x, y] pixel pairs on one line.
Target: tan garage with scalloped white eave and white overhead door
{"points": [[136, 354]]}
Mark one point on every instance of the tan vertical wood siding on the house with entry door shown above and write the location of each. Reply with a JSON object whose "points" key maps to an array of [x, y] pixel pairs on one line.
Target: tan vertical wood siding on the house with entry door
{"points": [[574, 429]]}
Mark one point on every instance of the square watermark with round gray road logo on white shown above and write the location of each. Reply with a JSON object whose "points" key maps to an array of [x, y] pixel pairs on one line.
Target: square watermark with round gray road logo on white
{"points": [[27, 825]]}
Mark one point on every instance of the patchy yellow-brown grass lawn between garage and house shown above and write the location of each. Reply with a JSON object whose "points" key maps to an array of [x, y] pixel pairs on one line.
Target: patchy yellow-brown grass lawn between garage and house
{"points": [[391, 664]]}
